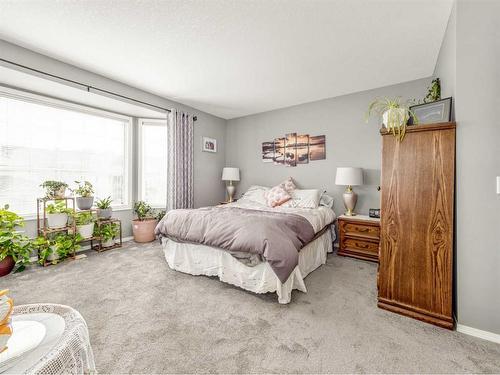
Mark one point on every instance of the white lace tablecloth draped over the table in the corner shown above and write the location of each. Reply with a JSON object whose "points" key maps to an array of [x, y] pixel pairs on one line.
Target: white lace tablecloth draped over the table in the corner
{"points": [[68, 353]]}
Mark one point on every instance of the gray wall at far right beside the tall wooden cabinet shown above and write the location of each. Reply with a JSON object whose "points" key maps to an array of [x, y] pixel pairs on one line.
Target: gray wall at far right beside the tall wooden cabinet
{"points": [[476, 33]]}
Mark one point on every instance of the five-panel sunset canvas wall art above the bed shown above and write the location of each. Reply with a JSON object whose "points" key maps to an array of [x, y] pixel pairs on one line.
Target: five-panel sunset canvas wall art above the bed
{"points": [[294, 149]]}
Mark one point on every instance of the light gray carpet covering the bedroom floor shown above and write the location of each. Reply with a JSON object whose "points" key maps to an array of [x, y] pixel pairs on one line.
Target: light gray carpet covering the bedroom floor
{"points": [[145, 318]]}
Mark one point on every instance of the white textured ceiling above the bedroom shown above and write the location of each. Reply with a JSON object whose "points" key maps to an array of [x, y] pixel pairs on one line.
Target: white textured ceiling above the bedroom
{"points": [[232, 57]]}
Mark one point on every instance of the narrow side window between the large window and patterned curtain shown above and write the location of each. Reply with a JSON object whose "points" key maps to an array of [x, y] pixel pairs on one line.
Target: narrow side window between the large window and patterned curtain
{"points": [[153, 162]]}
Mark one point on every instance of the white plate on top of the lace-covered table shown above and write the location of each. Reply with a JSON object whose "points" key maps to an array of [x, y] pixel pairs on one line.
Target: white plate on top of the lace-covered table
{"points": [[26, 336]]}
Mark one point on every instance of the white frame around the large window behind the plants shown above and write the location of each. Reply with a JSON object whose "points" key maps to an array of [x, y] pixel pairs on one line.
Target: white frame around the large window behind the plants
{"points": [[48, 101]]}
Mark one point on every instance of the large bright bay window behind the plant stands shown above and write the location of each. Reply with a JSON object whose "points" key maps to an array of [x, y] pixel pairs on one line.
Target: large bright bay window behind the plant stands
{"points": [[44, 139]]}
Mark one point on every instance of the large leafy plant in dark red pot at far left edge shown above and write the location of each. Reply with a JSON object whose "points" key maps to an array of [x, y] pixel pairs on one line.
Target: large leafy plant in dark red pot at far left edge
{"points": [[15, 248]]}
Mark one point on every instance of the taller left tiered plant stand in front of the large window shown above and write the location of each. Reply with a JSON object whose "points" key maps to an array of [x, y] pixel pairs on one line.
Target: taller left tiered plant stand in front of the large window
{"points": [[41, 223]]}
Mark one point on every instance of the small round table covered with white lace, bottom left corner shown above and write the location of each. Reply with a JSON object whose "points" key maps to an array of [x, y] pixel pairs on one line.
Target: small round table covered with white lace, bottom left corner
{"points": [[64, 348]]}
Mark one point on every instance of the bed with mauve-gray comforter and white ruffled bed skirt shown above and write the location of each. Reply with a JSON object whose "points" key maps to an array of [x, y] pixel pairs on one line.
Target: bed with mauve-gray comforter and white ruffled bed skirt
{"points": [[248, 244]]}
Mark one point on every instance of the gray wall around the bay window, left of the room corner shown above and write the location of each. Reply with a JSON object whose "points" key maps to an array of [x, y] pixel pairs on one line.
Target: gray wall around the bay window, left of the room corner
{"points": [[208, 188]]}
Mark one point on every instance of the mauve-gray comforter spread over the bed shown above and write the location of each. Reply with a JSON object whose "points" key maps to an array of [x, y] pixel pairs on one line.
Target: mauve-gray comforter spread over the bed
{"points": [[276, 236]]}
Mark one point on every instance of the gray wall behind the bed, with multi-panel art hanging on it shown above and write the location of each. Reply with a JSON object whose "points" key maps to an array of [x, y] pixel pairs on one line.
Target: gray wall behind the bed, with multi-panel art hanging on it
{"points": [[349, 142]]}
